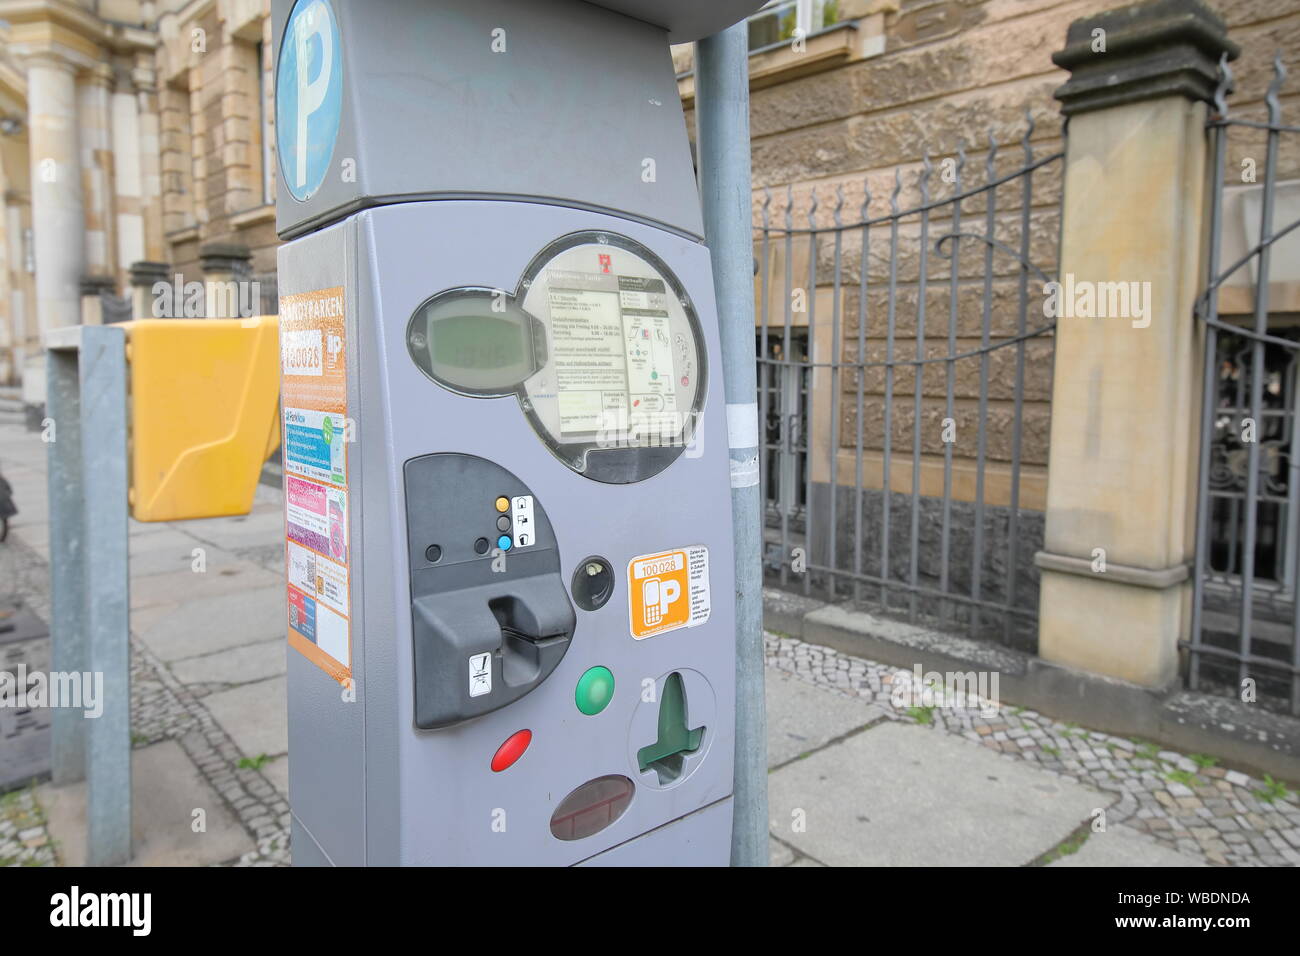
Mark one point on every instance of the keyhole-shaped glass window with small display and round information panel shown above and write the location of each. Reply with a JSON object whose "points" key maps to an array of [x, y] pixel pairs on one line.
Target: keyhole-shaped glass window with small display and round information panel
{"points": [[600, 343]]}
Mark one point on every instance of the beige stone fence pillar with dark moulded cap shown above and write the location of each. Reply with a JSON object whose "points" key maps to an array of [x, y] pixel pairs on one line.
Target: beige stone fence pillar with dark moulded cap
{"points": [[1121, 481]]}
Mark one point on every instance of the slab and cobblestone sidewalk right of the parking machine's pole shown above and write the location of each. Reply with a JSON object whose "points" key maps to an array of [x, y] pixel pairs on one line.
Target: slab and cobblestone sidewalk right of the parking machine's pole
{"points": [[904, 777]]}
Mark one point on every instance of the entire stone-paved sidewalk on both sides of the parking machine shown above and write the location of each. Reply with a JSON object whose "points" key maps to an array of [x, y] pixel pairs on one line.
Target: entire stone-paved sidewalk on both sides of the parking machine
{"points": [[856, 778]]}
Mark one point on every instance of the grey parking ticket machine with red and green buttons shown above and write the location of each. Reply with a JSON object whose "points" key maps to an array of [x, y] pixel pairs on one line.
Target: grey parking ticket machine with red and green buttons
{"points": [[509, 550]]}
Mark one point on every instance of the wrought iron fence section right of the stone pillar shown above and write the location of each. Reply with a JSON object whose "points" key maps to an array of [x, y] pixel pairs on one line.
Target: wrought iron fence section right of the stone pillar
{"points": [[1246, 634]]}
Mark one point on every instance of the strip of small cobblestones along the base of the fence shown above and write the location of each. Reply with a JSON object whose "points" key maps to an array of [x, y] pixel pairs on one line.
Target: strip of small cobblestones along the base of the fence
{"points": [[1185, 802]]}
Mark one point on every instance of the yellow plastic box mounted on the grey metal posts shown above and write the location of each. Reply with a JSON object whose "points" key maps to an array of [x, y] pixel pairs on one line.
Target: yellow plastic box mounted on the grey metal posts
{"points": [[205, 414]]}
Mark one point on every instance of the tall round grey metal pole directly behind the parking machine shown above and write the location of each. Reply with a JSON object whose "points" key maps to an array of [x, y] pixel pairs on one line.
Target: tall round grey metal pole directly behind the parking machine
{"points": [[722, 122]]}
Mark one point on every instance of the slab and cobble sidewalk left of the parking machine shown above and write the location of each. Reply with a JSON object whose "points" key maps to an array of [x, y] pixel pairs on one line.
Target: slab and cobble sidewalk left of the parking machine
{"points": [[207, 685]]}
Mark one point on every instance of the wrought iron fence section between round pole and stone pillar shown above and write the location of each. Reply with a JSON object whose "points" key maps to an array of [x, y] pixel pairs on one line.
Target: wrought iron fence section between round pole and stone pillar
{"points": [[895, 429]]}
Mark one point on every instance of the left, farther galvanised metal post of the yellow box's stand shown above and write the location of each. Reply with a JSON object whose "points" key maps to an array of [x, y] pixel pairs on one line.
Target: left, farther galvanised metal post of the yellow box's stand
{"points": [[67, 565]]}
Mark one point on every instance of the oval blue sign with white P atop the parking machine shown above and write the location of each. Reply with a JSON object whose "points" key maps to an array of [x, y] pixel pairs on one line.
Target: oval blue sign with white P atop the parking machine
{"points": [[309, 97]]}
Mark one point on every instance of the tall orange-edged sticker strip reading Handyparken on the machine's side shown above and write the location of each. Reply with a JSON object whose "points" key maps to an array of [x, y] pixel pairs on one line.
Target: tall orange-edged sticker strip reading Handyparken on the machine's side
{"points": [[318, 561]]}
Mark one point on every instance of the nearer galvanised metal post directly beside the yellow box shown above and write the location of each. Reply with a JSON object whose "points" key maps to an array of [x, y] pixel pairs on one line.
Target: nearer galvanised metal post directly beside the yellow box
{"points": [[109, 738]]}
